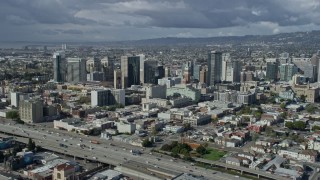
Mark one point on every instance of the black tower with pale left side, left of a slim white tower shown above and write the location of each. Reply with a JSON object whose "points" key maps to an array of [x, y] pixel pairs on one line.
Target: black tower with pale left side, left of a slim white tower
{"points": [[130, 69]]}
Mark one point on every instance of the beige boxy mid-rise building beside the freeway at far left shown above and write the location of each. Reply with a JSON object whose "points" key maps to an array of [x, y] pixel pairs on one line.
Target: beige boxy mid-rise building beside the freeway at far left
{"points": [[31, 111]]}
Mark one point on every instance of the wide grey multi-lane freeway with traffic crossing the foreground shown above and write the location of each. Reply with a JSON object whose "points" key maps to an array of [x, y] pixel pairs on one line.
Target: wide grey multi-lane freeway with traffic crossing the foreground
{"points": [[116, 154]]}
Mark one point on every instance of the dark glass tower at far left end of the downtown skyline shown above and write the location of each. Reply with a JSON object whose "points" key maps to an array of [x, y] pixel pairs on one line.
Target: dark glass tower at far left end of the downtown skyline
{"points": [[59, 67]]}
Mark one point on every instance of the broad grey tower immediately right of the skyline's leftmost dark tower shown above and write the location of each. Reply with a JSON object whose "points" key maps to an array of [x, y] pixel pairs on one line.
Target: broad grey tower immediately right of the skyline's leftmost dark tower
{"points": [[76, 71]]}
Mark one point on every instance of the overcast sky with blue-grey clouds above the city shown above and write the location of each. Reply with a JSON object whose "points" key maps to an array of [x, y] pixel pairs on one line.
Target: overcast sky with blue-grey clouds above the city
{"points": [[112, 20]]}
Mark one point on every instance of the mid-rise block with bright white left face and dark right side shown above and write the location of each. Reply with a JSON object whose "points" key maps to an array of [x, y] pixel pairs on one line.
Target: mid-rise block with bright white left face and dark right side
{"points": [[100, 97]]}
